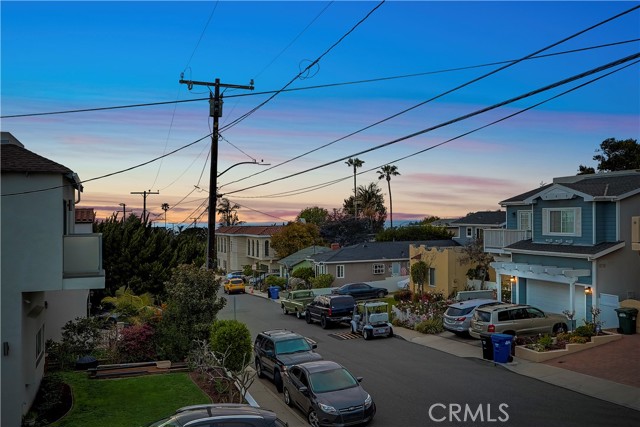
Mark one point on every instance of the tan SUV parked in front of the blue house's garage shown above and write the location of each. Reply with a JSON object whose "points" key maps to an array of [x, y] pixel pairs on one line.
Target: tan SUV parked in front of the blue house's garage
{"points": [[515, 319]]}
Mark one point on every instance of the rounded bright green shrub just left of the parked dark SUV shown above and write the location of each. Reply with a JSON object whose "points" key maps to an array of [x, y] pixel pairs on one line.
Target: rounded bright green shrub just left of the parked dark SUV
{"points": [[231, 341]]}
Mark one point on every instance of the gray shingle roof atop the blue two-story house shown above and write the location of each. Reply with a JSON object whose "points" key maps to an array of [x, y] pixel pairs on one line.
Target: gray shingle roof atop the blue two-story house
{"points": [[611, 184]]}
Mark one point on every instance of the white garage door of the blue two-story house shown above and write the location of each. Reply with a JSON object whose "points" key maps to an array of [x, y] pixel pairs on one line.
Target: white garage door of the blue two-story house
{"points": [[554, 297]]}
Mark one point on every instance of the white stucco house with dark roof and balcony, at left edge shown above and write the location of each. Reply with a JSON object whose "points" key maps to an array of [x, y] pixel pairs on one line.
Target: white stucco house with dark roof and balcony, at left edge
{"points": [[41, 253]]}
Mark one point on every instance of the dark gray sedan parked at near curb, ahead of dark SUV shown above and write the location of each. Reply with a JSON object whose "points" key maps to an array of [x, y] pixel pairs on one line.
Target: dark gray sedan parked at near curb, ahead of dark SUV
{"points": [[328, 394]]}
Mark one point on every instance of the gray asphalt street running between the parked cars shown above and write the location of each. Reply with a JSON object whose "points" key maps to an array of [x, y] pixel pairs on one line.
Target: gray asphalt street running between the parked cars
{"points": [[417, 386]]}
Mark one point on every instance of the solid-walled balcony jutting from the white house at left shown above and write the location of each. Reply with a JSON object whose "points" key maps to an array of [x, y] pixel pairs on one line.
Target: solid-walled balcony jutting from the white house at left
{"points": [[82, 268]]}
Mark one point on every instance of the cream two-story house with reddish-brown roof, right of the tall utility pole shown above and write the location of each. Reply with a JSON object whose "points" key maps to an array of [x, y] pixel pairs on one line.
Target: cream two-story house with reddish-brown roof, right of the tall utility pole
{"points": [[240, 245]]}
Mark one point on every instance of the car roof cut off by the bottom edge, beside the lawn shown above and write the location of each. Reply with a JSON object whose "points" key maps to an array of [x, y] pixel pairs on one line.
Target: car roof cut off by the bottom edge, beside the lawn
{"points": [[220, 414]]}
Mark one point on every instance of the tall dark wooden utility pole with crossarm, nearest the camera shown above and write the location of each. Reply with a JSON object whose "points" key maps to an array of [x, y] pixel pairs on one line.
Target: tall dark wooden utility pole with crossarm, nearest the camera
{"points": [[215, 111]]}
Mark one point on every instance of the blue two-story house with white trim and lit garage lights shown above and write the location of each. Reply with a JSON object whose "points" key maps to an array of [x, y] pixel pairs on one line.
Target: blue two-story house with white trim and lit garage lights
{"points": [[579, 254]]}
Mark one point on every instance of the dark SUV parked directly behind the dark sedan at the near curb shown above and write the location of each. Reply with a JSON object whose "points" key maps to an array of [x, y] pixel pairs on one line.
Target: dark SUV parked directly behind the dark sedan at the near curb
{"points": [[278, 349]]}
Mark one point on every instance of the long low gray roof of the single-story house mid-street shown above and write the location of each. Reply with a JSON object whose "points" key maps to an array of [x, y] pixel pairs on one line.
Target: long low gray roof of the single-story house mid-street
{"points": [[376, 251]]}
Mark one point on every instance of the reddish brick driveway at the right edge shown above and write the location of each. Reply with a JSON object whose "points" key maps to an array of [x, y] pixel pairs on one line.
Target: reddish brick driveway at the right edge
{"points": [[617, 361]]}
